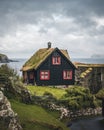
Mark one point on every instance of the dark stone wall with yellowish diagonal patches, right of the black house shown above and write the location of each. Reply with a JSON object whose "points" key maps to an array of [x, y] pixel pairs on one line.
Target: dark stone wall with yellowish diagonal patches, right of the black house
{"points": [[91, 77]]}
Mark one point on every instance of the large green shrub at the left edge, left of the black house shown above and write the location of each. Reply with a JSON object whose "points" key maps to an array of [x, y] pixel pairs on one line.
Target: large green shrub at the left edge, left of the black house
{"points": [[9, 82]]}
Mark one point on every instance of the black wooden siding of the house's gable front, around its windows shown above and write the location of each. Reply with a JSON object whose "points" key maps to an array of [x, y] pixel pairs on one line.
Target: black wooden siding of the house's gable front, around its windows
{"points": [[56, 71]]}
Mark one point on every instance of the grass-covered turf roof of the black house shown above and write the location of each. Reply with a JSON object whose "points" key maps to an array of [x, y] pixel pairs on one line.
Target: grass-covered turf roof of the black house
{"points": [[39, 57]]}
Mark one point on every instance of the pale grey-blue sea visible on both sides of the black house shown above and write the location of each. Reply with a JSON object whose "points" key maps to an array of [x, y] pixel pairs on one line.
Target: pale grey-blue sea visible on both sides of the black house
{"points": [[20, 62]]}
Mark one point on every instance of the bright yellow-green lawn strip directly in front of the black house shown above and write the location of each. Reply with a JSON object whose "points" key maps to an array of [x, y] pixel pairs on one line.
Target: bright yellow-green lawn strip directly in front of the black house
{"points": [[39, 91]]}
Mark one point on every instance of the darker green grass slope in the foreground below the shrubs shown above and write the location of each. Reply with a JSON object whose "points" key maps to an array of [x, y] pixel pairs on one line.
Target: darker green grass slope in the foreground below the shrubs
{"points": [[33, 117]]}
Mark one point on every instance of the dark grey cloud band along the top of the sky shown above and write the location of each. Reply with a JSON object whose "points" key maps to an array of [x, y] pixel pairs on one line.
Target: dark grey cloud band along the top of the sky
{"points": [[13, 12]]}
